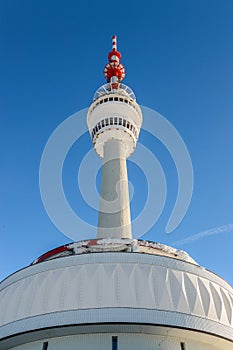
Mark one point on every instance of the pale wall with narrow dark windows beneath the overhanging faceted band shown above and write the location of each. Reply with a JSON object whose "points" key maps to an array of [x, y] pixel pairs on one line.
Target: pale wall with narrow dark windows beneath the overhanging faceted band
{"points": [[125, 341]]}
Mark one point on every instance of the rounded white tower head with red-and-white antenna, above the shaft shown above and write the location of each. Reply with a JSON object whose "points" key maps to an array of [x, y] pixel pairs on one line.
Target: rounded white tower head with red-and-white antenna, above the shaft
{"points": [[114, 113]]}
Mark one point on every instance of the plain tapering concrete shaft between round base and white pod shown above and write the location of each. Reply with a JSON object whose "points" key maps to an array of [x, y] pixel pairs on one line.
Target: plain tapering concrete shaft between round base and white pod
{"points": [[114, 212]]}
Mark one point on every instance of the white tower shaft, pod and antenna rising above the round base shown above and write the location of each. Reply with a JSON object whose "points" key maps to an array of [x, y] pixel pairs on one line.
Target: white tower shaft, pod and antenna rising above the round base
{"points": [[114, 120]]}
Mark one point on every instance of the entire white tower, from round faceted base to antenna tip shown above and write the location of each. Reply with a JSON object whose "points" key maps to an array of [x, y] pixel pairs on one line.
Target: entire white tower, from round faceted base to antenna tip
{"points": [[115, 294]]}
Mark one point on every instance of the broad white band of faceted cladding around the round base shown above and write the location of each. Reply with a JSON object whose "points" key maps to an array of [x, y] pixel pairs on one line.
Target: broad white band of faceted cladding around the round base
{"points": [[116, 287]]}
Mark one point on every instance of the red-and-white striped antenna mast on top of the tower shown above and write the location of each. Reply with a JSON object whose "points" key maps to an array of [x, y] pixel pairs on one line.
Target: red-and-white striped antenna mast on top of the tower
{"points": [[114, 71]]}
